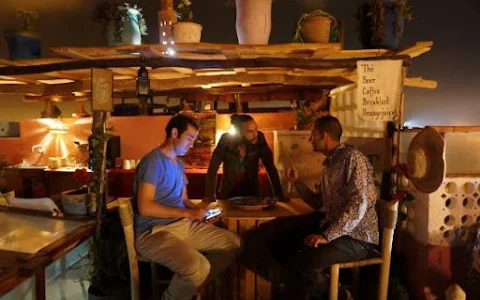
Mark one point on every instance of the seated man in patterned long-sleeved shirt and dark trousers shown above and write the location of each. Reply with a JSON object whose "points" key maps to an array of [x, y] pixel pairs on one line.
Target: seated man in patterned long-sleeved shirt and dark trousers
{"points": [[343, 227]]}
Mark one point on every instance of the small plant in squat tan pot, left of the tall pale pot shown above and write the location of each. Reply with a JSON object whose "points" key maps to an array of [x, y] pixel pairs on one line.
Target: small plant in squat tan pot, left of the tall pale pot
{"points": [[186, 31]]}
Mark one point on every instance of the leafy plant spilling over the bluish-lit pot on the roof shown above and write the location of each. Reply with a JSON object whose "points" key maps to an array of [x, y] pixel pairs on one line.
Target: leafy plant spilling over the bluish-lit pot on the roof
{"points": [[116, 14]]}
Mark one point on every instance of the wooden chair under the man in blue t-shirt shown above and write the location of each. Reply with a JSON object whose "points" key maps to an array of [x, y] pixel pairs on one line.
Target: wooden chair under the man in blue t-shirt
{"points": [[126, 217]]}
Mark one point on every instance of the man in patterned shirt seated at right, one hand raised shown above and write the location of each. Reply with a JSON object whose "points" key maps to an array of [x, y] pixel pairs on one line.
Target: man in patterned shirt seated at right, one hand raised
{"points": [[346, 194]]}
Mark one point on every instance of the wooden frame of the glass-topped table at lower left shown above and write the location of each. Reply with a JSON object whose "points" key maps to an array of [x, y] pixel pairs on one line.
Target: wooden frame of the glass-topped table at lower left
{"points": [[34, 264]]}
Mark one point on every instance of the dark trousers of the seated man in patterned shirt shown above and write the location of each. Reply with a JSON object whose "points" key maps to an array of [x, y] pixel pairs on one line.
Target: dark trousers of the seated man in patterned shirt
{"points": [[302, 267]]}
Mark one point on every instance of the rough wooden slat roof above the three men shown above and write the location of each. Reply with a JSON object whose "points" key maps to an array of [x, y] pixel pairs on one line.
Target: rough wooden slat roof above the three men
{"points": [[198, 66]]}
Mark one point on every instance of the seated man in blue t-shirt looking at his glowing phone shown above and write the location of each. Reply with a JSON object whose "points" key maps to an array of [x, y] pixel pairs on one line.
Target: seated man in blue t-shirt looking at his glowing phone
{"points": [[170, 229]]}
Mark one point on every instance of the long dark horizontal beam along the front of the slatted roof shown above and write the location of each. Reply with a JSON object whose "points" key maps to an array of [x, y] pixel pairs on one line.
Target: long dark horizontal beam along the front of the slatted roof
{"points": [[194, 64]]}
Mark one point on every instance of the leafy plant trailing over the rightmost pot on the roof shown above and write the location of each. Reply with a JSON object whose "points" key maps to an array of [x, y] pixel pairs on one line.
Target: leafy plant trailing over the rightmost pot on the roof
{"points": [[373, 15]]}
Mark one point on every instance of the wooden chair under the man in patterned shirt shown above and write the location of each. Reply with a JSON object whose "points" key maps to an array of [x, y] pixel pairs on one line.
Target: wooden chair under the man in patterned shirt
{"points": [[388, 221]]}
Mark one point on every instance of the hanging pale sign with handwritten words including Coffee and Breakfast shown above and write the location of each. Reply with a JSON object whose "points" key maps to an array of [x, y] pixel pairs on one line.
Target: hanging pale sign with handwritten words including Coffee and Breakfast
{"points": [[379, 89]]}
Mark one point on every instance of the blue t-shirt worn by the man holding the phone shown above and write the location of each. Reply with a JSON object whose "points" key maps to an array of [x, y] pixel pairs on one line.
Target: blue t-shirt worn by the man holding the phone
{"points": [[169, 178]]}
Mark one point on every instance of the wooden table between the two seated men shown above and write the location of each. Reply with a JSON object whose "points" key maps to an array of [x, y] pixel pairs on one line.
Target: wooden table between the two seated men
{"points": [[246, 285]]}
